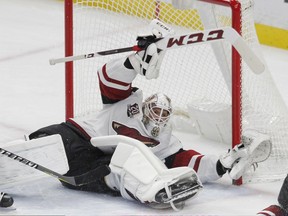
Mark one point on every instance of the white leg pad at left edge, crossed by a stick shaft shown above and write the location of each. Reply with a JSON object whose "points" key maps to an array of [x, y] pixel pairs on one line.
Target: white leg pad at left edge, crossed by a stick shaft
{"points": [[47, 151]]}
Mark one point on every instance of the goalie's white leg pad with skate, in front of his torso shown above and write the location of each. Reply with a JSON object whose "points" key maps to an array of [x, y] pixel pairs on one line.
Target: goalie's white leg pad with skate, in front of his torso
{"points": [[138, 174]]}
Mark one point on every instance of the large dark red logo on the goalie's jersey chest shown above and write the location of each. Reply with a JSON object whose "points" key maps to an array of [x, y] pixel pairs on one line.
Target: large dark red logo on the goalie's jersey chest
{"points": [[121, 129]]}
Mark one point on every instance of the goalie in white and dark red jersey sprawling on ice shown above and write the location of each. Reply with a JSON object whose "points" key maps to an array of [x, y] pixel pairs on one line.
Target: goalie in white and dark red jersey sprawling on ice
{"points": [[151, 166]]}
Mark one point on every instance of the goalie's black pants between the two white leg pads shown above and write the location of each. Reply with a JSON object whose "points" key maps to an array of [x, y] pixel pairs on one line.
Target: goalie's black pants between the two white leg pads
{"points": [[81, 155]]}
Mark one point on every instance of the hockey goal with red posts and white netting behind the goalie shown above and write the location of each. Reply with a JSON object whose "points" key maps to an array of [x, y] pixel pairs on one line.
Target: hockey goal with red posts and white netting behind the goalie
{"points": [[210, 82]]}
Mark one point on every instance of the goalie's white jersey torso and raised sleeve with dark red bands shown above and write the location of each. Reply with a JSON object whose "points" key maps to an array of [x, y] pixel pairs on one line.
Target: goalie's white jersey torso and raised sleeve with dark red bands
{"points": [[122, 115]]}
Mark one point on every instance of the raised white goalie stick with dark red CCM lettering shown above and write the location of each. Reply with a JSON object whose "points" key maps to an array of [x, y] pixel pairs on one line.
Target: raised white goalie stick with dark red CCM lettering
{"points": [[170, 42]]}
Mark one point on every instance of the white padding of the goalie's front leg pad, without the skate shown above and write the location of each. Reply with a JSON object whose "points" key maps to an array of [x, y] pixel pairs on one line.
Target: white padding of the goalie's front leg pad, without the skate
{"points": [[136, 170]]}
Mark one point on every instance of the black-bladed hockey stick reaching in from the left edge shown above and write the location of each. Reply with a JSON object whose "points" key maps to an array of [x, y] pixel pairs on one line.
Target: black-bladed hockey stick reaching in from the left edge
{"points": [[79, 180]]}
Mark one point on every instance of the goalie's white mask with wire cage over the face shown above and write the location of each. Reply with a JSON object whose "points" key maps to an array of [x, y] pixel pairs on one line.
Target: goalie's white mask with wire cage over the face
{"points": [[157, 111]]}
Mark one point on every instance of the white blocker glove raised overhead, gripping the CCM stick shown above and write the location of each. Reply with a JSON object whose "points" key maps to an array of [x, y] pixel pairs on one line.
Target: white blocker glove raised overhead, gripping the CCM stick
{"points": [[147, 62]]}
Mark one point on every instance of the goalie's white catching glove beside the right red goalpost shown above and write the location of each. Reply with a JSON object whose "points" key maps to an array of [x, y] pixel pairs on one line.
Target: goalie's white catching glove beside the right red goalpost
{"points": [[256, 148]]}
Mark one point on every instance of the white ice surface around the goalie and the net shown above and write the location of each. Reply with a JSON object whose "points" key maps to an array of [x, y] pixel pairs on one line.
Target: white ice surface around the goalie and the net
{"points": [[32, 96]]}
